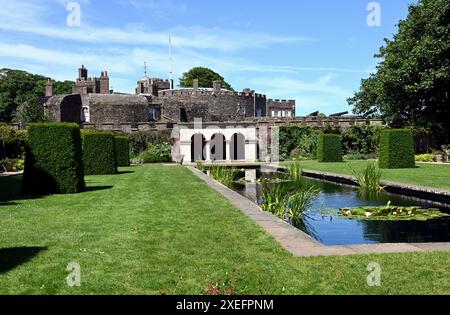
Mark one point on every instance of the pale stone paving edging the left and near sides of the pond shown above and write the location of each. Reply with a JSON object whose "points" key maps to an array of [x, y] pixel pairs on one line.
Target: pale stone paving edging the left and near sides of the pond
{"points": [[299, 243]]}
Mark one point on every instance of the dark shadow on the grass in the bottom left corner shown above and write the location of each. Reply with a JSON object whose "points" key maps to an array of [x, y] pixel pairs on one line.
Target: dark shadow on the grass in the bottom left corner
{"points": [[11, 258]]}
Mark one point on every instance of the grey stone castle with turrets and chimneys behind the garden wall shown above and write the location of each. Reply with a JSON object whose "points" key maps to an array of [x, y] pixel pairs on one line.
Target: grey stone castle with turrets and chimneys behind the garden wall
{"points": [[156, 101]]}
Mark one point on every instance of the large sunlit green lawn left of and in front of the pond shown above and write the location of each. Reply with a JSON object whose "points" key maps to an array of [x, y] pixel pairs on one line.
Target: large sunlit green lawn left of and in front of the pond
{"points": [[160, 230]]}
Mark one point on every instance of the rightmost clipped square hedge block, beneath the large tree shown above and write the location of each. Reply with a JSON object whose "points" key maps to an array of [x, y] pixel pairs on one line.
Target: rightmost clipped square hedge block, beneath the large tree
{"points": [[396, 149]]}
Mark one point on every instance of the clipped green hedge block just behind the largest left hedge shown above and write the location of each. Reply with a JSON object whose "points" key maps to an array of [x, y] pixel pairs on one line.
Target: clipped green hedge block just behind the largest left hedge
{"points": [[98, 153]]}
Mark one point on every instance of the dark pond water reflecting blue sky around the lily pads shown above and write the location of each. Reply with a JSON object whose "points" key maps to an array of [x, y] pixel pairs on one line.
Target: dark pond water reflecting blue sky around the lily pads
{"points": [[322, 222]]}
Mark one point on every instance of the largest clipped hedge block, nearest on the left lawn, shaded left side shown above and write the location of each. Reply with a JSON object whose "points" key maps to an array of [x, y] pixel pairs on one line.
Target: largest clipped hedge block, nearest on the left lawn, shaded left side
{"points": [[53, 159]]}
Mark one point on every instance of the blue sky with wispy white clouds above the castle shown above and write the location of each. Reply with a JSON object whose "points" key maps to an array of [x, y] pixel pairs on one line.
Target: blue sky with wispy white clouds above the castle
{"points": [[313, 51]]}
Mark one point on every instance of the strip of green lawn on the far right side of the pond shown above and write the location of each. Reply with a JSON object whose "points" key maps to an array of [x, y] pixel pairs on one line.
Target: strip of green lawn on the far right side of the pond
{"points": [[433, 175]]}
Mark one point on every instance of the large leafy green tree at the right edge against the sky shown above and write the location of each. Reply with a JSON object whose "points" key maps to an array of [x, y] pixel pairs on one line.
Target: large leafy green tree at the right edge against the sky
{"points": [[412, 81]]}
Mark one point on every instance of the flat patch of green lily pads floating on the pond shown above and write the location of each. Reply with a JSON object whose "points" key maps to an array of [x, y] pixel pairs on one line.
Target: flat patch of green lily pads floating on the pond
{"points": [[394, 213]]}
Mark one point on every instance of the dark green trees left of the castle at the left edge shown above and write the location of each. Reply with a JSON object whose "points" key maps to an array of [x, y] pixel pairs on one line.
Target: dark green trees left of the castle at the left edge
{"points": [[18, 87]]}
